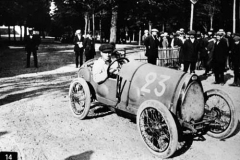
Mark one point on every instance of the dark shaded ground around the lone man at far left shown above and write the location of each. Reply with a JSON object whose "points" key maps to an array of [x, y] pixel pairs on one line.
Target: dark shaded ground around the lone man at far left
{"points": [[50, 57]]}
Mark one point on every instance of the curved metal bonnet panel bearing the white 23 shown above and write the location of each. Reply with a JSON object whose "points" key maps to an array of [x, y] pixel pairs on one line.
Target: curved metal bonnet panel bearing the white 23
{"points": [[153, 82]]}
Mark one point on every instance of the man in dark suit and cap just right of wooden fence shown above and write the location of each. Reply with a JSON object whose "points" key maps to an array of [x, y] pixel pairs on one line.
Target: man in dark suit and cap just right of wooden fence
{"points": [[190, 52]]}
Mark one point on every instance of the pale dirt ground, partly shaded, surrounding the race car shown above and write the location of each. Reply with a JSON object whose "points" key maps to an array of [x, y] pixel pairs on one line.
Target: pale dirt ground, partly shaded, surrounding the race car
{"points": [[36, 121]]}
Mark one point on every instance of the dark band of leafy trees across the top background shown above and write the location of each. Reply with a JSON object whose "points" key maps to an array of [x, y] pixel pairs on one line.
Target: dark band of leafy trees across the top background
{"points": [[132, 15]]}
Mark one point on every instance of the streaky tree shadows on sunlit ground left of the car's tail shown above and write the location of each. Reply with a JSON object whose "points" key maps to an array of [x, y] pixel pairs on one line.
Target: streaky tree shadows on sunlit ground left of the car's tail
{"points": [[30, 87]]}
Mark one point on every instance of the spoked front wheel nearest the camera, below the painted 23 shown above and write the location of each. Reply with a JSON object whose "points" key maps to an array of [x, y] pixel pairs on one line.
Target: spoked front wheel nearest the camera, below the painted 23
{"points": [[154, 119]]}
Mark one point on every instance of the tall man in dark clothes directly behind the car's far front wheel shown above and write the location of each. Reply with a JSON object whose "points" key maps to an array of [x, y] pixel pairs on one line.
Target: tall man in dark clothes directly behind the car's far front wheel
{"points": [[219, 58]]}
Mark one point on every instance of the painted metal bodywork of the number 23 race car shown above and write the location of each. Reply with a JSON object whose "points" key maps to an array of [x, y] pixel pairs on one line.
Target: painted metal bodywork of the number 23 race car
{"points": [[138, 82]]}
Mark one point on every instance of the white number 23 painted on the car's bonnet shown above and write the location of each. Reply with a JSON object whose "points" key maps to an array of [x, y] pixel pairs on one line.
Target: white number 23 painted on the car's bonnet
{"points": [[151, 78]]}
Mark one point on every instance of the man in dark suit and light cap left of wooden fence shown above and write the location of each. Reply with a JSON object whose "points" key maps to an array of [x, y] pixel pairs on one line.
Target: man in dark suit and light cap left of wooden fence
{"points": [[152, 43]]}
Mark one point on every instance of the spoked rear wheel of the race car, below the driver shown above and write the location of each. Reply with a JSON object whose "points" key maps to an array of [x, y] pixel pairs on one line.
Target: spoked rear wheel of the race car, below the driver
{"points": [[79, 98]]}
